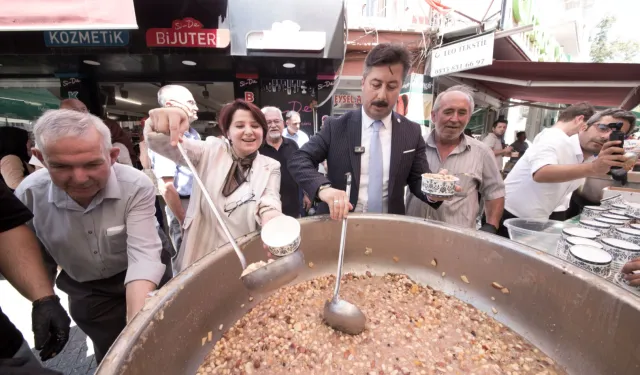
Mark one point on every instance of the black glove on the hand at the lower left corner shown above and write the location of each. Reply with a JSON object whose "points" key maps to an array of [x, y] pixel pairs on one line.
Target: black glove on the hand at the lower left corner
{"points": [[50, 326]]}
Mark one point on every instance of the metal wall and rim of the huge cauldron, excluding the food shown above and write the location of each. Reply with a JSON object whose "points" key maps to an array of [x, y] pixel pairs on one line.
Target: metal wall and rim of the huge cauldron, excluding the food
{"points": [[585, 323]]}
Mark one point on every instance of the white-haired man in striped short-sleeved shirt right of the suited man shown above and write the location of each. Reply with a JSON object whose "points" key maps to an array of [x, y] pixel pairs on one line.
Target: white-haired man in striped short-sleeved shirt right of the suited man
{"points": [[448, 148]]}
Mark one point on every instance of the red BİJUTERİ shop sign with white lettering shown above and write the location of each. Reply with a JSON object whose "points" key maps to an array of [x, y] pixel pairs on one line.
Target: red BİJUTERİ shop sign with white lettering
{"points": [[188, 32]]}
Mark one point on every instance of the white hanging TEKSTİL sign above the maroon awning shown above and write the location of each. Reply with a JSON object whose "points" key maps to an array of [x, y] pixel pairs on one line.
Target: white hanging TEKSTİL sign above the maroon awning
{"points": [[468, 54]]}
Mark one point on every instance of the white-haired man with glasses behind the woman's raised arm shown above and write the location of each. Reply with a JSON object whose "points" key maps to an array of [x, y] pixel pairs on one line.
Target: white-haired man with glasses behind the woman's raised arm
{"points": [[175, 182]]}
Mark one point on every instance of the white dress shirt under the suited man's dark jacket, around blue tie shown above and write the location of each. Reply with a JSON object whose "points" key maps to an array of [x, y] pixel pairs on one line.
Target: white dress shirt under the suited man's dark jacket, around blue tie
{"points": [[385, 140]]}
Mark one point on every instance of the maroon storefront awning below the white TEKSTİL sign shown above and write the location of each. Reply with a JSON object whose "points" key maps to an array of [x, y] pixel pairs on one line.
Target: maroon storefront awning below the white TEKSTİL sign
{"points": [[612, 85]]}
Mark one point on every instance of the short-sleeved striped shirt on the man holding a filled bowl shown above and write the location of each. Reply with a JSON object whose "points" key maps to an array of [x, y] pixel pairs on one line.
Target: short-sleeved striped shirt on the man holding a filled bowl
{"points": [[473, 158]]}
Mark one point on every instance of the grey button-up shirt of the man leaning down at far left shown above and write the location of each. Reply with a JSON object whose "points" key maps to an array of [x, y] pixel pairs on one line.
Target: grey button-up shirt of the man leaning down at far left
{"points": [[116, 232]]}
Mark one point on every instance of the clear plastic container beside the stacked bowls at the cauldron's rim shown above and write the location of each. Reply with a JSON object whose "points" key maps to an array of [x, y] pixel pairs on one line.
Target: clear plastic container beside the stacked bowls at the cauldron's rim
{"points": [[540, 234]]}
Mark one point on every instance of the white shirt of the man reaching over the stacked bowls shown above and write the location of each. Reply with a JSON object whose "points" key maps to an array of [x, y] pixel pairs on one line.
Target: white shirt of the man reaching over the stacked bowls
{"points": [[526, 198]]}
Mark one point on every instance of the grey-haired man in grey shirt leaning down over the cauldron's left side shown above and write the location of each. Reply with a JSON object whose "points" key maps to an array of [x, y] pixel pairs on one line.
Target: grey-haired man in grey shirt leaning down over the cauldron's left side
{"points": [[95, 219]]}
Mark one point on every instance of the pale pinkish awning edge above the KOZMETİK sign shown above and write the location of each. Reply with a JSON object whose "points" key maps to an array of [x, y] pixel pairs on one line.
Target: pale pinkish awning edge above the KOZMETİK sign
{"points": [[43, 15]]}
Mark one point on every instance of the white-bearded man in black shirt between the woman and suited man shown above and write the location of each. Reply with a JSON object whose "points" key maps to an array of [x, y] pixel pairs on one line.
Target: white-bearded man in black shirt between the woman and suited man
{"points": [[280, 148]]}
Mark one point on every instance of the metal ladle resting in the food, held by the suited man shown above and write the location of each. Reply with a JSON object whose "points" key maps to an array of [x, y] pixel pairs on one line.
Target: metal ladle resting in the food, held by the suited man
{"points": [[340, 314]]}
